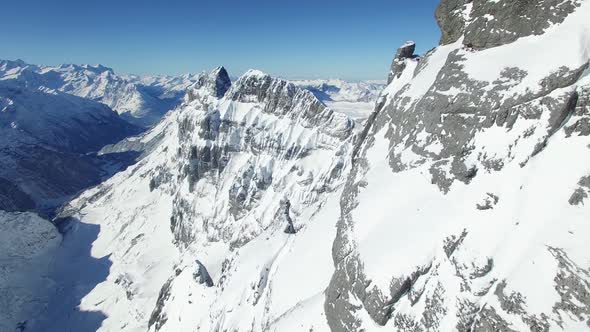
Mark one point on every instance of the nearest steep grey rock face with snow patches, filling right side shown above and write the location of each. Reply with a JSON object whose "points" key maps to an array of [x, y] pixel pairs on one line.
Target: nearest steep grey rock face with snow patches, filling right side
{"points": [[465, 208]]}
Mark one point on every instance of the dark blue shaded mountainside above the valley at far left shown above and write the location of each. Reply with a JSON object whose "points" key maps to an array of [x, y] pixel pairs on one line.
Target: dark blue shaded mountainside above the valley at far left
{"points": [[46, 140]]}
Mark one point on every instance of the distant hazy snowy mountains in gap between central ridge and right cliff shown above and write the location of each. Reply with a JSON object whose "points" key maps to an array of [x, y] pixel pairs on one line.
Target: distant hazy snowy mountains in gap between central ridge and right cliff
{"points": [[355, 99]]}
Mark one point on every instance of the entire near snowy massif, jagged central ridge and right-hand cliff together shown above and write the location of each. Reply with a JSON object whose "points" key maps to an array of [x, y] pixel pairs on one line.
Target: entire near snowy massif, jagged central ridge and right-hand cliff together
{"points": [[460, 206]]}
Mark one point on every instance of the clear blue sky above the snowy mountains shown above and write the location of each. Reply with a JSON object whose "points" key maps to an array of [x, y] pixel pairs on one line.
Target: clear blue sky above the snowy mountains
{"points": [[346, 39]]}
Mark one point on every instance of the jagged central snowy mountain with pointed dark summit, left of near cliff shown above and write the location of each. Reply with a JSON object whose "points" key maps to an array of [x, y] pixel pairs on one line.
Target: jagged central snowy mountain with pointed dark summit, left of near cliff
{"points": [[209, 230]]}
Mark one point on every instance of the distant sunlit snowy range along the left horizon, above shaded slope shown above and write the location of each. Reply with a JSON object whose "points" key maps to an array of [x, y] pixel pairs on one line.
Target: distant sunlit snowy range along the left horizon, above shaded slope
{"points": [[141, 101]]}
